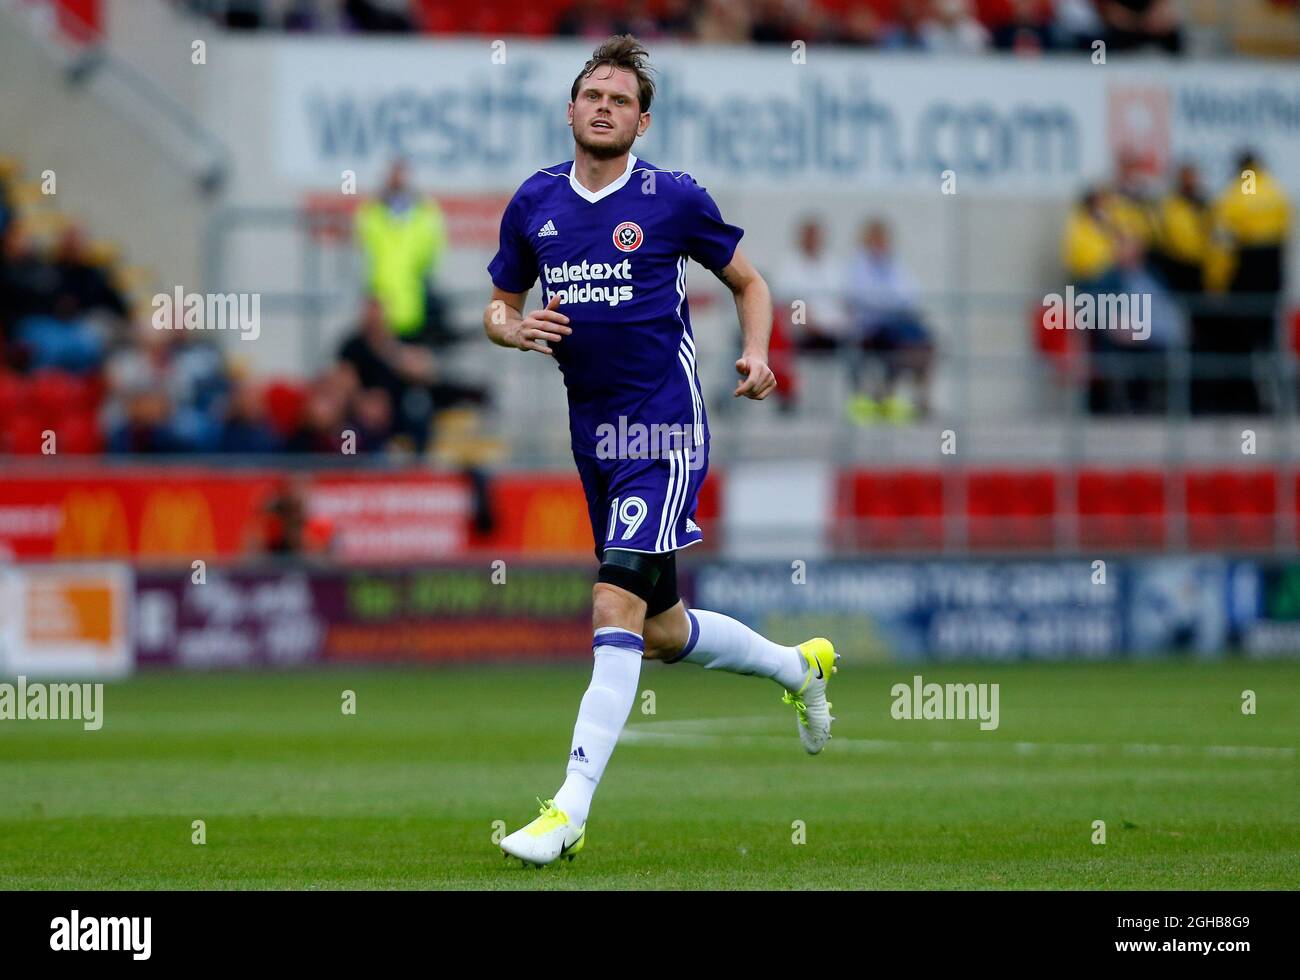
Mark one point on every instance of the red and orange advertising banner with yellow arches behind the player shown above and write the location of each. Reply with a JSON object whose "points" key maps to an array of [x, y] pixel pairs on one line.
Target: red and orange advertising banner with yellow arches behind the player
{"points": [[179, 515]]}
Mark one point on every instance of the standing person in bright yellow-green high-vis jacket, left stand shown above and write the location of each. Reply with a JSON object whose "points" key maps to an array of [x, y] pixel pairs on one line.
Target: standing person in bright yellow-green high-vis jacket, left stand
{"points": [[404, 239]]}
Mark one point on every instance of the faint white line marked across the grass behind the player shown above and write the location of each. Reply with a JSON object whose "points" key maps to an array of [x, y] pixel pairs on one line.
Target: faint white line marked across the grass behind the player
{"points": [[707, 735]]}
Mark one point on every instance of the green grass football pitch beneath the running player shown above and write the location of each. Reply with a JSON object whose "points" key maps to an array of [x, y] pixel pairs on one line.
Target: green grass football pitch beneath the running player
{"points": [[704, 793]]}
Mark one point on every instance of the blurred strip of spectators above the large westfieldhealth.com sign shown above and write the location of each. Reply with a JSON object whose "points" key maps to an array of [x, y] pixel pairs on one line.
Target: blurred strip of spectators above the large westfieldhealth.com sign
{"points": [[951, 27]]}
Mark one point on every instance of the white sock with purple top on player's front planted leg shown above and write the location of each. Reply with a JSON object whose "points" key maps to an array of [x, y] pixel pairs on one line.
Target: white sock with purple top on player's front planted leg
{"points": [[600, 718]]}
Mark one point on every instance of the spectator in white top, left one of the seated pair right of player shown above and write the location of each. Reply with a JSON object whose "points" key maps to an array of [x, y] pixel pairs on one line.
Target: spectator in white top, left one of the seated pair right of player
{"points": [[812, 277]]}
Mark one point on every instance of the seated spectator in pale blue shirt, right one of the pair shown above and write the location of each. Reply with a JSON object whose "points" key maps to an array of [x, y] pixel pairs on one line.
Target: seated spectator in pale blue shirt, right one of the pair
{"points": [[883, 301]]}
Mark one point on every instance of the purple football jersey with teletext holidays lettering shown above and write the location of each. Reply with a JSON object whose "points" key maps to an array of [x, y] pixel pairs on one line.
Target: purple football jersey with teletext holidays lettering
{"points": [[619, 259]]}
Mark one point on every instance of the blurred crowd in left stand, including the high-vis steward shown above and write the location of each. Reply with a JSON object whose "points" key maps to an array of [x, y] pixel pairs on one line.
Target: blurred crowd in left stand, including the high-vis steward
{"points": [[105, 365]]}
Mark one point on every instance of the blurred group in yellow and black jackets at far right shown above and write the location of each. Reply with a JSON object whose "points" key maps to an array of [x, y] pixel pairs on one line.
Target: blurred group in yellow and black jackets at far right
{"points": [[1214, 268]]}
